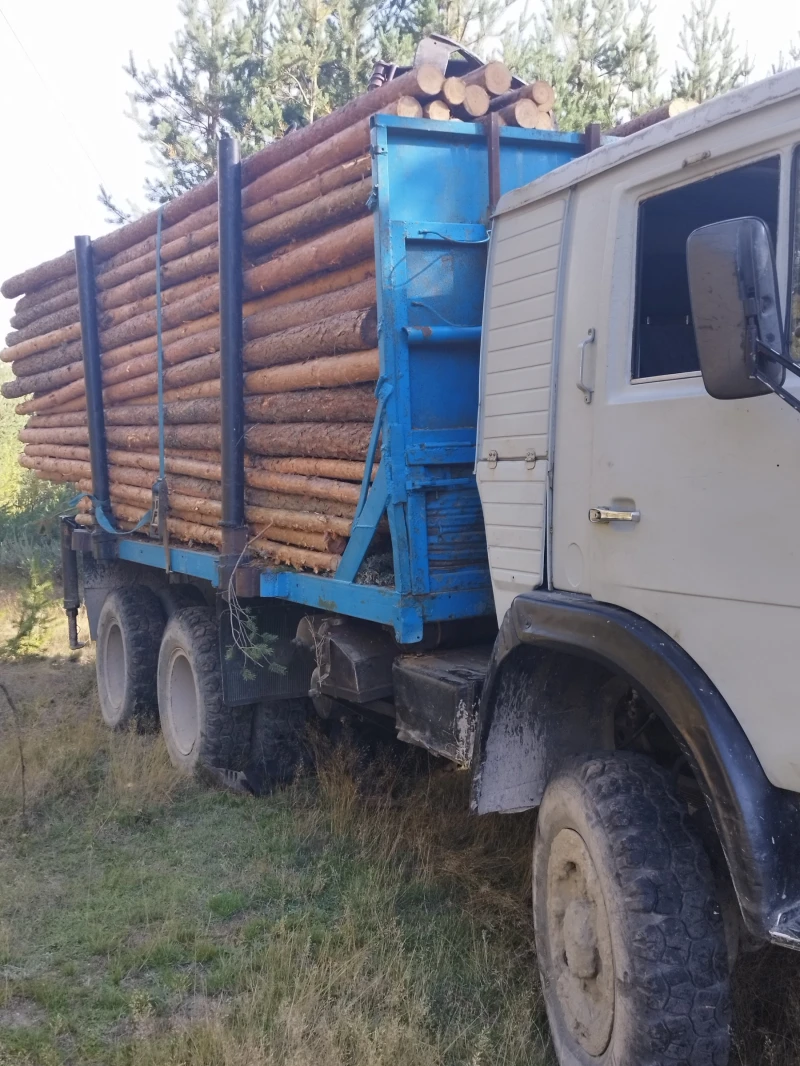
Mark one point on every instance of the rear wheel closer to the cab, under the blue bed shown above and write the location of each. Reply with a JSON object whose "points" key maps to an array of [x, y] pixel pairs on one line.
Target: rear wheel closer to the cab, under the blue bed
{"points": [[199, 729]]}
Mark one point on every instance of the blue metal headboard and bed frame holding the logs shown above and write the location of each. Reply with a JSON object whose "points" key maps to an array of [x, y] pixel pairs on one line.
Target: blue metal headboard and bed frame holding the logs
{"points": [[431, 197]]}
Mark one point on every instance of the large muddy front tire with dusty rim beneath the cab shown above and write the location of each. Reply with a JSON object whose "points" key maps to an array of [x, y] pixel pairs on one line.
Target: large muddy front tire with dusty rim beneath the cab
{"points": [[630, 935]]}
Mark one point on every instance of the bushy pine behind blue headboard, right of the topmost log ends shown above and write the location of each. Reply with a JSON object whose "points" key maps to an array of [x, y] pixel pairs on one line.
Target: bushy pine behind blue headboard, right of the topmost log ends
{"points": [[601, 57]]}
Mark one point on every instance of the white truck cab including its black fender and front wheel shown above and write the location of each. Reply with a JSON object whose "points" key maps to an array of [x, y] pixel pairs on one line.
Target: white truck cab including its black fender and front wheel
{"points": [[638, 463]]}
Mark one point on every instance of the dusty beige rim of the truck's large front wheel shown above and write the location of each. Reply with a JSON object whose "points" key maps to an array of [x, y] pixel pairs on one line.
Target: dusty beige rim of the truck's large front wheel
{"points": [[581, 943]]}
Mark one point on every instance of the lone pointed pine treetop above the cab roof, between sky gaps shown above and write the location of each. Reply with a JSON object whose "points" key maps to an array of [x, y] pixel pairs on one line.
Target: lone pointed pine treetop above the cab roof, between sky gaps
{"points": [[714, 62]]}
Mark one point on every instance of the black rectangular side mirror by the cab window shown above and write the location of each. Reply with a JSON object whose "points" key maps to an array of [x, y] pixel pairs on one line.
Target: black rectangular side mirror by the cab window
{"points": [[735, 308]]}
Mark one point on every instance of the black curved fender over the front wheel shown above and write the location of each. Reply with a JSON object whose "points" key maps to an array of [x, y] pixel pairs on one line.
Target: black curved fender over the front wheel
{"points": [[758, 825]]}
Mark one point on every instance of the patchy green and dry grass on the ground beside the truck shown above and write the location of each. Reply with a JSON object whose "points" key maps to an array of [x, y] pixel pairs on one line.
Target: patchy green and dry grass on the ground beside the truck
{"points": [[346, 922]]}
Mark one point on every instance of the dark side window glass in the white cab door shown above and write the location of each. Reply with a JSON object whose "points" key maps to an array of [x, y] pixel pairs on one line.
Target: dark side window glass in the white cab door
{"points": [[664, 336]]}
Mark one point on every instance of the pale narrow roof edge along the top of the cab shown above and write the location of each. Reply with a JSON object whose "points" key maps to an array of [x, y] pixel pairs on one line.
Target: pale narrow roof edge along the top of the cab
{"points": [[618, 151]]}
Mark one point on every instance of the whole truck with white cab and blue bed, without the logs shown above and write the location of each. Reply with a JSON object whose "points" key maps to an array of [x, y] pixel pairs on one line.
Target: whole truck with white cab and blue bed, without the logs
{"points": [[588, 423]]}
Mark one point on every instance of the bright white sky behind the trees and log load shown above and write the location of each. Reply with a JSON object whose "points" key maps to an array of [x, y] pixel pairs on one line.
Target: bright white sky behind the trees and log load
{"points": [[63, 94]]}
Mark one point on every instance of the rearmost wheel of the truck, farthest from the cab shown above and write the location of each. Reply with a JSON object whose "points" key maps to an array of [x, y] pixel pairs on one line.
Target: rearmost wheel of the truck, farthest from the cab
{"points": [[130, 633]]}
